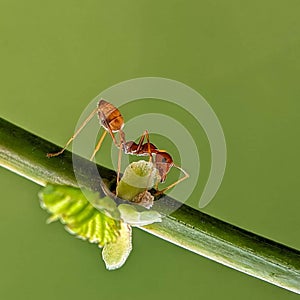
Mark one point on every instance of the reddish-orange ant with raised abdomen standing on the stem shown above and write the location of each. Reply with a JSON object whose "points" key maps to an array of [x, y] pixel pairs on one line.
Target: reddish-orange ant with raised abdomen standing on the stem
{"points": [[112, 121]]}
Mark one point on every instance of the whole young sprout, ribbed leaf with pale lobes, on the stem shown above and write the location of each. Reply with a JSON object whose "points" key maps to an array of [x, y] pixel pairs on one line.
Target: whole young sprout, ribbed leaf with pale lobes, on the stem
{"points": [[100, 220]]}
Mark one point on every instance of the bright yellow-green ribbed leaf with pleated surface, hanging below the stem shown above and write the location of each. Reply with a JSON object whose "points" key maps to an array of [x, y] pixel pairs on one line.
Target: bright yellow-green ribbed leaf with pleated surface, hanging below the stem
{"points": [[70, 206]]}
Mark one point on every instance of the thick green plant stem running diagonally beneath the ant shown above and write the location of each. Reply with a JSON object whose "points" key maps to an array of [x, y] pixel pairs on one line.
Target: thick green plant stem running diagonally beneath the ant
{"points": [[25, 154]]}
